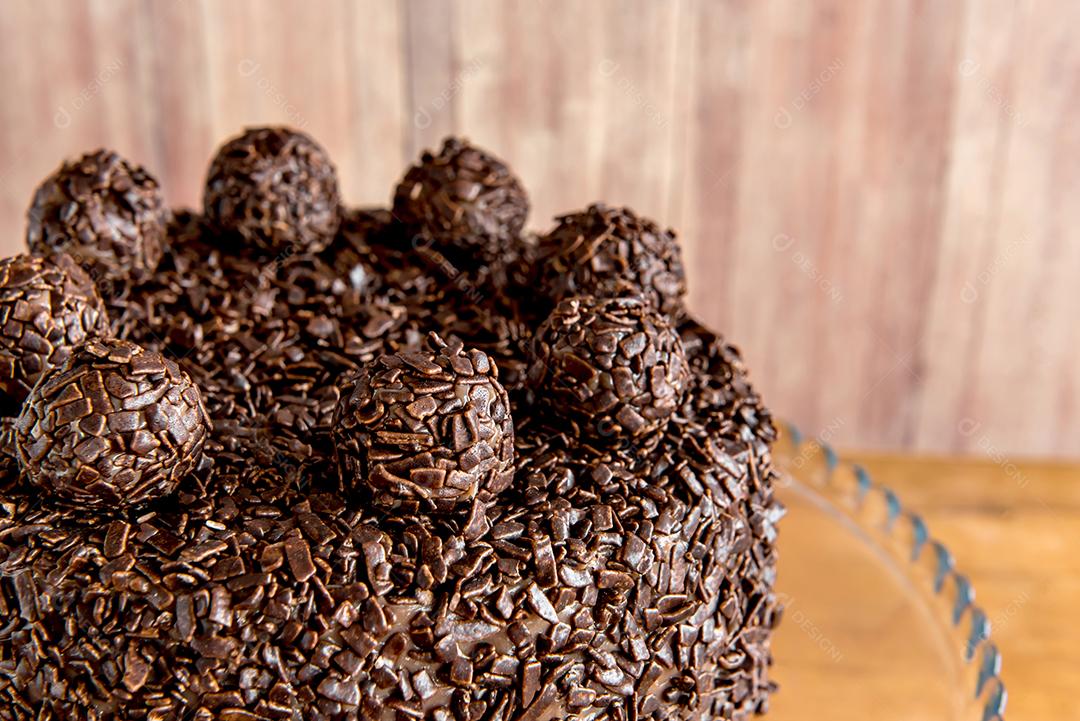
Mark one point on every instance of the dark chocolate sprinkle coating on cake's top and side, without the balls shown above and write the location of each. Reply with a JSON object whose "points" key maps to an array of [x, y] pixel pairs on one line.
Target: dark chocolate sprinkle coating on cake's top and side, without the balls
{"points": [[615, 581]]}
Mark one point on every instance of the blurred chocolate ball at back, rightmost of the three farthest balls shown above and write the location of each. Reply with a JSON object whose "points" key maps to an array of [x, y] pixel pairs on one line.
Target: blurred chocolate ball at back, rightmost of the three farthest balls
{"points": [[463, 199]]}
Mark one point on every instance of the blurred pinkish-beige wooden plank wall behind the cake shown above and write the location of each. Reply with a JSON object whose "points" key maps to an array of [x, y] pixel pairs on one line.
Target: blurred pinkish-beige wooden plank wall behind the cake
{"points": [[877, 200]]}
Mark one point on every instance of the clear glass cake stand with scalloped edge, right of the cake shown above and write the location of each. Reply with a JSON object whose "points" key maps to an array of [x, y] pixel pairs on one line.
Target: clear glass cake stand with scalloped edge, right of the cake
{"points": [[879, 622]]}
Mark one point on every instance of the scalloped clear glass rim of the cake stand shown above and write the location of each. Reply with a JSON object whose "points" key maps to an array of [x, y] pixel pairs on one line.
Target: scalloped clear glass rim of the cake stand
{"points": [[877, 516]]}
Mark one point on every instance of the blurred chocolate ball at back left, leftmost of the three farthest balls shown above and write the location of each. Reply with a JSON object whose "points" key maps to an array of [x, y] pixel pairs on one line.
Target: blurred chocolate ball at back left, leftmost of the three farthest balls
{"points": [[107, 213]]}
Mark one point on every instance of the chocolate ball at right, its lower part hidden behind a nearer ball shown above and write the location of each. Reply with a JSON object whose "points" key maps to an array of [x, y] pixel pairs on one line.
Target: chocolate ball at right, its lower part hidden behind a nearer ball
{"points": [[612, 252]]}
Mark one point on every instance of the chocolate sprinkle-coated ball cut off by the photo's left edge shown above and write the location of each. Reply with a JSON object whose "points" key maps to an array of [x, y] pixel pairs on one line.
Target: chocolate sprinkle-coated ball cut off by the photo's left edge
{"points": [[48, 307]]}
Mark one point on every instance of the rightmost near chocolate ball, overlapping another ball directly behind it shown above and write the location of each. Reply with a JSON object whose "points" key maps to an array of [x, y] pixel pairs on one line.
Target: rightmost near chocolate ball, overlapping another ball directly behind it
{"points": [[615, 366]]}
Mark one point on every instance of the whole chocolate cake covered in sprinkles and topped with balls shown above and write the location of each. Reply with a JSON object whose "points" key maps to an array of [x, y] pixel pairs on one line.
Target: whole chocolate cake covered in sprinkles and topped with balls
{"points": [[322, 464]]}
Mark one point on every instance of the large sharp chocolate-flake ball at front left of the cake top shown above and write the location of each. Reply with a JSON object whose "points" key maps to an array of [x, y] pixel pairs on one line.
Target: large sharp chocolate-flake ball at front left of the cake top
{"points": [[114, 427]]}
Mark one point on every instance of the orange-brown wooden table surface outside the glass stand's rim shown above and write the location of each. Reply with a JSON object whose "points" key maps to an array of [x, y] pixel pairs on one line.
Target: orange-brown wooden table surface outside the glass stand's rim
{"points": [[1014, 528]]}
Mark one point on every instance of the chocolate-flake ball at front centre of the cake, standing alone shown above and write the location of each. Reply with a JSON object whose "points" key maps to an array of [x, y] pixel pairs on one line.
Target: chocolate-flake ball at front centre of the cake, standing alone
{"points": [[431, 426]]}
